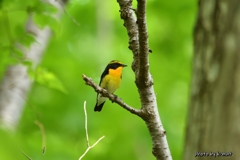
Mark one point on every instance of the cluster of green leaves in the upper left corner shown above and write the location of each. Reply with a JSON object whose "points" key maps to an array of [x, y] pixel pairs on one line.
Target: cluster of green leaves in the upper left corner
{"points": [[12, 54]]}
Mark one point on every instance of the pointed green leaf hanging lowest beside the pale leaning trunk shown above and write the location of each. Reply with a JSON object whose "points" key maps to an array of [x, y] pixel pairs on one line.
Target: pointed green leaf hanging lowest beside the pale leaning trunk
{"points": [[49, 79]]}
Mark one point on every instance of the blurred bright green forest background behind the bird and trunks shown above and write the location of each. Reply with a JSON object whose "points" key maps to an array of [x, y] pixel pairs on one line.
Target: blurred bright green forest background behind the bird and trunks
{"points": [[86, 49]]}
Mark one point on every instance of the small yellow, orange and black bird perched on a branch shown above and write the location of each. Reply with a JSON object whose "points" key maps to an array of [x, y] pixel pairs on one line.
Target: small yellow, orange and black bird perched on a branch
{"points": [[110, 80]]}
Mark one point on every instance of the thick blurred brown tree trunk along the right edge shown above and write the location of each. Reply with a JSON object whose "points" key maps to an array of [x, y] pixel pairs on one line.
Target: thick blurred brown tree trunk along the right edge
{"points": [[214, 111]]}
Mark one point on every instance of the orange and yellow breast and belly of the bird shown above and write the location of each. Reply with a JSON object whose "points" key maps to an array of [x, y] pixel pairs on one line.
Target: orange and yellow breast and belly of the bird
{"points": [[112, 80]]}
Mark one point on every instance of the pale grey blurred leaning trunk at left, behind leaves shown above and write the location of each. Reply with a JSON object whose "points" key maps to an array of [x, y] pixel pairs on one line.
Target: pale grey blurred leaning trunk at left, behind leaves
{"points": [[16, 83]]}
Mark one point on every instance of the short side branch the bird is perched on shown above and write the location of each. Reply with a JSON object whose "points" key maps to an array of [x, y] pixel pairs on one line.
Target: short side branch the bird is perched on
{"points": [[112, 97]]}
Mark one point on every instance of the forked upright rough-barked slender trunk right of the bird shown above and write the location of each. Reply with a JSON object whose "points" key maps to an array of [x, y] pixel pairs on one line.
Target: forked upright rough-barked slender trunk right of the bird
{"points": [[144, 80]]}
